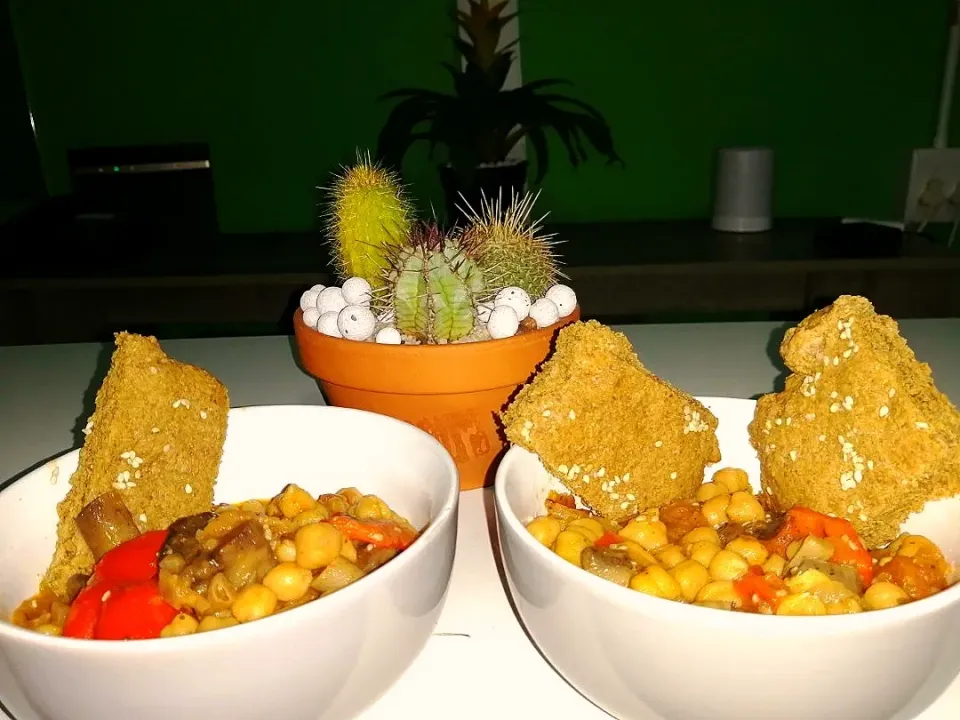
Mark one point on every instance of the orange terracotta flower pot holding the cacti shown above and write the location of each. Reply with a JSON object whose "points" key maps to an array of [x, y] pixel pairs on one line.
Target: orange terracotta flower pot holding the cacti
{"points": [[450, 391]]}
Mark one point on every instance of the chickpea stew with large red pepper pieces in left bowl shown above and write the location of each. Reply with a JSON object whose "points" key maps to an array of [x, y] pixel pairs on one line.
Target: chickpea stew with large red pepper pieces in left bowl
{"points": [[235, 564]]}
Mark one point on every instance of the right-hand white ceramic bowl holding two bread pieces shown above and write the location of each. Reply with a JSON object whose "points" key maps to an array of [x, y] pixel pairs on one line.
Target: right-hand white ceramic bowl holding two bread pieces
{"points": [[638, 656]]}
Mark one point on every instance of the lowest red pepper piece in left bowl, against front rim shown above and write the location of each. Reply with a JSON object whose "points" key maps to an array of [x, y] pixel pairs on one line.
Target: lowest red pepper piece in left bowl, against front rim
{"points": [[134, 612]]}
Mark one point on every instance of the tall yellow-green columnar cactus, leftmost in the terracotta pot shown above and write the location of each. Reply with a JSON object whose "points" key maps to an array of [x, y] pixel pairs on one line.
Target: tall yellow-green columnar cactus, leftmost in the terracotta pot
{"points": [[369, 214]]}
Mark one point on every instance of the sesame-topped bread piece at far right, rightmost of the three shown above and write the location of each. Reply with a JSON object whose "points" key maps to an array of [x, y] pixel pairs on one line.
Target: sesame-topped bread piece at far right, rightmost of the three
{"points": [[860, 430]]}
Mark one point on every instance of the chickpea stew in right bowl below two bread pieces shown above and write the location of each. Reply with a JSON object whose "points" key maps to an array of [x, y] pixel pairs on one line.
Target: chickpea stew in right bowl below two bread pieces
{"points": [[724, 549]]}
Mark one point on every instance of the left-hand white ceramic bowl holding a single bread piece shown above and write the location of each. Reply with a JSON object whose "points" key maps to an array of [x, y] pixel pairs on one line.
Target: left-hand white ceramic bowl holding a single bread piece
{"points": [[327, 659]]}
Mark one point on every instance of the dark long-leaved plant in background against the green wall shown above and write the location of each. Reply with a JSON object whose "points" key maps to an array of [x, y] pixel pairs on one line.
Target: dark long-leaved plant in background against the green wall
{"points": [[480, 122]]}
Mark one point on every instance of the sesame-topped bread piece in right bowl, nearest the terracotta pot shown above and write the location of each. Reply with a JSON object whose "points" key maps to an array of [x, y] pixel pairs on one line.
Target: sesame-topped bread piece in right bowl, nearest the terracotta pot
{"points": [[616, 435]]}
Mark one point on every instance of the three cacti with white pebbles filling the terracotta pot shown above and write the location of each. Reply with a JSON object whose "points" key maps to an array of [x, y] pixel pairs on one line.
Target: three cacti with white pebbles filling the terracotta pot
{"points": [[410, 282]]}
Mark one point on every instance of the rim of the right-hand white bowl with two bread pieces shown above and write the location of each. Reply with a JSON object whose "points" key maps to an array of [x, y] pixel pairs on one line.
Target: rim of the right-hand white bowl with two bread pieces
{"points": [[605, 591]]}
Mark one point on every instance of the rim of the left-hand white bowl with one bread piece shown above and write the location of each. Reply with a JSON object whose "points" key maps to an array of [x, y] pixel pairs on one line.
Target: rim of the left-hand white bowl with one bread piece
{"points": [[446, 514]]}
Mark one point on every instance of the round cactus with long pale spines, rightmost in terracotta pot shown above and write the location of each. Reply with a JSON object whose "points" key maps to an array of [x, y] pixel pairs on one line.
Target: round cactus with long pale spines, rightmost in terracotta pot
{"points": [[505, 240]]}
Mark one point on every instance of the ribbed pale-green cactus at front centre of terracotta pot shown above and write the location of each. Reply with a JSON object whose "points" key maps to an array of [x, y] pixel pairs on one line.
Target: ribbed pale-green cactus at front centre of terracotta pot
{"points": [[432, 287]]}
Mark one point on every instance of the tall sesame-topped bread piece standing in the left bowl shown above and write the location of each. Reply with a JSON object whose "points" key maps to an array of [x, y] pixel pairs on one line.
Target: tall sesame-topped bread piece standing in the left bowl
{"points": [[156, 435]]}
